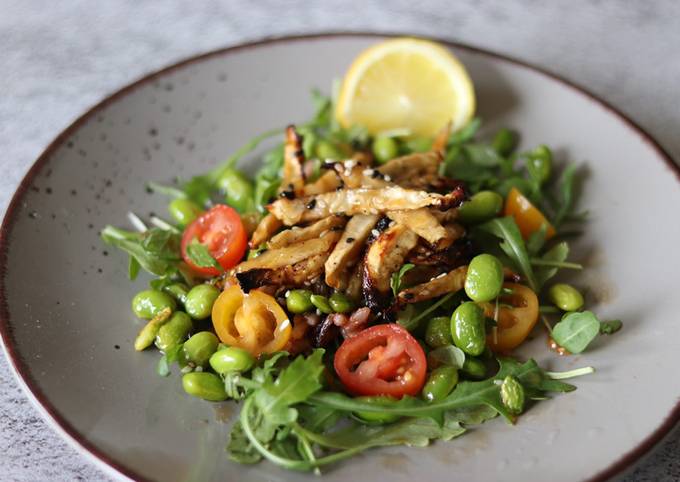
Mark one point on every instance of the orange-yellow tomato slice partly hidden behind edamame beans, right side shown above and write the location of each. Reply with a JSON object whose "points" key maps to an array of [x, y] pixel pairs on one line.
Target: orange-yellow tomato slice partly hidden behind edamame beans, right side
{"points": [[513, 324]]}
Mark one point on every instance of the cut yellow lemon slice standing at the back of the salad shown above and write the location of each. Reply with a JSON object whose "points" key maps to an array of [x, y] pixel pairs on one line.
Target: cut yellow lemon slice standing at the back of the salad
{"points": [[406, 83]]}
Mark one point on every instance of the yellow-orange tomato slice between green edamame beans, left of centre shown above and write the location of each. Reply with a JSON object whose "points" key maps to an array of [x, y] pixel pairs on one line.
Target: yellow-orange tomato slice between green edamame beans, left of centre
{"points": [[253, 321]]}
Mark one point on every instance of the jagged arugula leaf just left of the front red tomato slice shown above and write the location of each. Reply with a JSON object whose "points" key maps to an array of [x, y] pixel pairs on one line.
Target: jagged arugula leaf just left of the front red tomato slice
{"points": [[294, 384]]}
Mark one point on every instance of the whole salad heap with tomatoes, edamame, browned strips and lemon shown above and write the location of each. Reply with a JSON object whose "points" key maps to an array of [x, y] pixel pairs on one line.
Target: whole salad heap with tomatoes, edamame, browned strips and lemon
{"points": [[369, 285]]}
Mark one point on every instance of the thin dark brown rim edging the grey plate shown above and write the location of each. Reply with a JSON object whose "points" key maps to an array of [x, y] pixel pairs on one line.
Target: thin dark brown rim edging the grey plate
{"points": [[21, 370]]}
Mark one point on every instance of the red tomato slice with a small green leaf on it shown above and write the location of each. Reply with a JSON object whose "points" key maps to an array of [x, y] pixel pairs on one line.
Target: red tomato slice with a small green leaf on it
{"points": [[222, 232]]}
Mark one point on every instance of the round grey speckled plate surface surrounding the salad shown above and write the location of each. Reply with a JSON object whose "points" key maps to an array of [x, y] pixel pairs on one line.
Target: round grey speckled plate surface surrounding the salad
{"points": [[64, 298]]}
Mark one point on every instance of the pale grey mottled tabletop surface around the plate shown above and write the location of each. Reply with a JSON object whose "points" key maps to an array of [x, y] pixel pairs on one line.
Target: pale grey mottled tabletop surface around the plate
{"points": [[58, 59]]}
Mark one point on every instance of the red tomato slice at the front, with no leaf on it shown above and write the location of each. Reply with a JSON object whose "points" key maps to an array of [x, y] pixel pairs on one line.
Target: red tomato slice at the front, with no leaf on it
{"points": [[381, 360]]}
